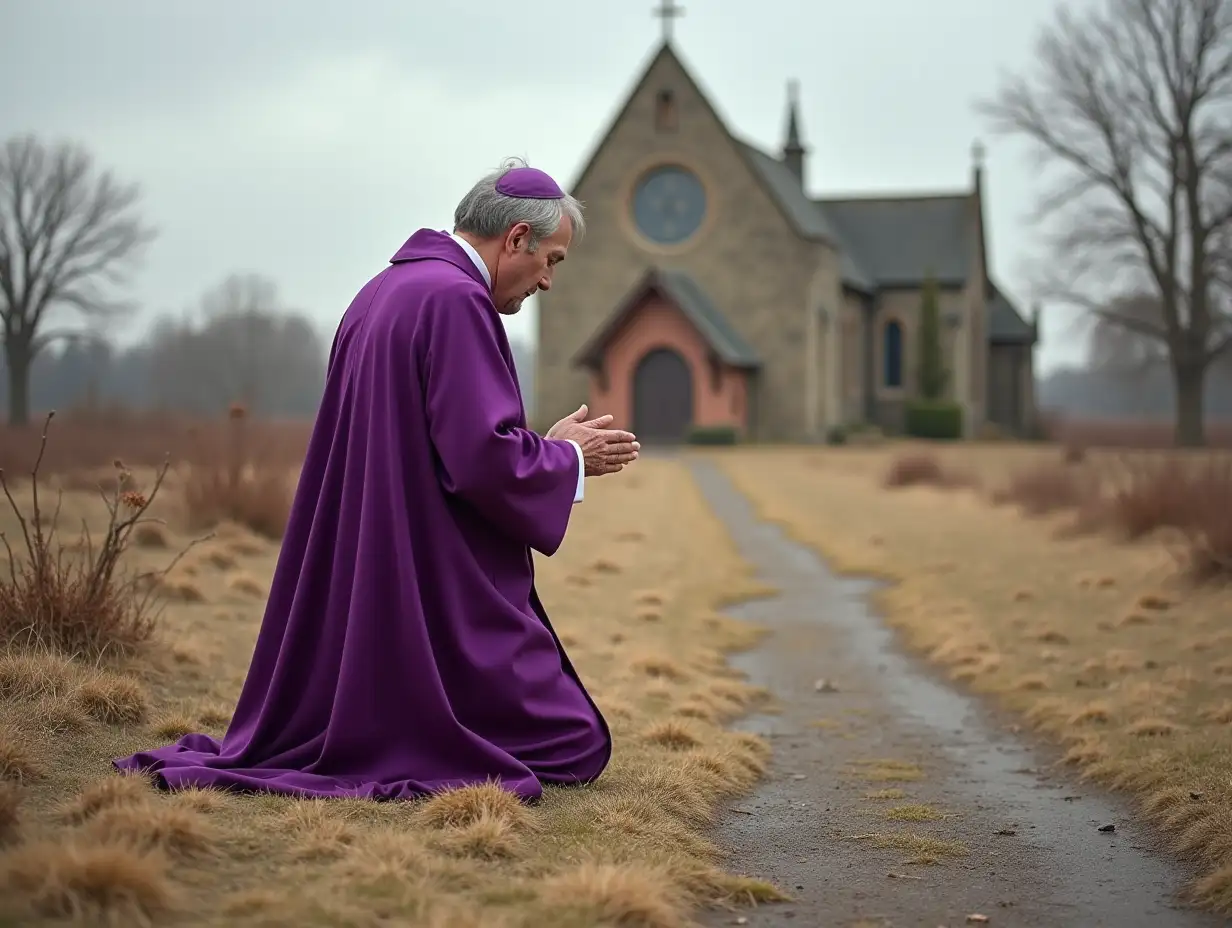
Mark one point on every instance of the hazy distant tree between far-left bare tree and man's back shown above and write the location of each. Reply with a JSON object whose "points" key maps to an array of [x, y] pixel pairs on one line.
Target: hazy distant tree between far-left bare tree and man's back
{"points": [[243, 347]]}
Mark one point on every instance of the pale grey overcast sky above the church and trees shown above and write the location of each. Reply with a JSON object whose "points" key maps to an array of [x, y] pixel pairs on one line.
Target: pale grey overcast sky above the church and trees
{"points": [[306, 140]]}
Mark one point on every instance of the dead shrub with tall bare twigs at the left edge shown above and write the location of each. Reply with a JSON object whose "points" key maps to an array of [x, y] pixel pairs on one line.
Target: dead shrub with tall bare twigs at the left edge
{"points": [[76, 598]]}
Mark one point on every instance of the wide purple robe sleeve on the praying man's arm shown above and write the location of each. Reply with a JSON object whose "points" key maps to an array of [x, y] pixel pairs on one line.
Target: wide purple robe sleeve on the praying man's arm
{"points": [[523, 484]]}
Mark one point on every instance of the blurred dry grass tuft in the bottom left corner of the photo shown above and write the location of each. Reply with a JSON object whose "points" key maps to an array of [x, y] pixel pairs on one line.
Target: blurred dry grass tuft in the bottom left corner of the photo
{"points": [[109, 884]]}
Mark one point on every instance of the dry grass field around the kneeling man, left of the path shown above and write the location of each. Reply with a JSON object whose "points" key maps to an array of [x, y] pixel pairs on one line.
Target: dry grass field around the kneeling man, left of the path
{"points": [[88, 675]]}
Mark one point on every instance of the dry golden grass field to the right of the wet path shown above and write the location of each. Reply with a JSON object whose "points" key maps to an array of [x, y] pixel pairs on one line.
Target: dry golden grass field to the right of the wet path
{"points": [[1087, 591]]}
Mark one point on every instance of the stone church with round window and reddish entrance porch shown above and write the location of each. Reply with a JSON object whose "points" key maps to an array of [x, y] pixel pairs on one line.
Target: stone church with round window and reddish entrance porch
{"points": [[714, 290]]}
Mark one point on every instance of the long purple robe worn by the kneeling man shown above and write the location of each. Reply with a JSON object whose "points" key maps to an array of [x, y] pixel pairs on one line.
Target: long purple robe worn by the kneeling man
{"points": [[405, 649]]}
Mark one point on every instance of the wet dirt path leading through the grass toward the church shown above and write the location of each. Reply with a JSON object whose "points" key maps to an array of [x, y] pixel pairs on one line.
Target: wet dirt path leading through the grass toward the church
{"points": [[984, 825]]}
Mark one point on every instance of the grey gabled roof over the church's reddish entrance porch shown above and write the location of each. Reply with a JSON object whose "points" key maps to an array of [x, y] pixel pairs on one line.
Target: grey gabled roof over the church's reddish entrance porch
{"points": [[692, 300]]}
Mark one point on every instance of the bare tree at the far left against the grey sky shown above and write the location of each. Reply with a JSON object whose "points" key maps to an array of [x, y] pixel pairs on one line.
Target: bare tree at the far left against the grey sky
{"points": [[66, 234]]}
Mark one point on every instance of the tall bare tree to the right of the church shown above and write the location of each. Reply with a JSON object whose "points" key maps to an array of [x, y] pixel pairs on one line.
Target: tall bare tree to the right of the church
{"points": [[1132, 104]]}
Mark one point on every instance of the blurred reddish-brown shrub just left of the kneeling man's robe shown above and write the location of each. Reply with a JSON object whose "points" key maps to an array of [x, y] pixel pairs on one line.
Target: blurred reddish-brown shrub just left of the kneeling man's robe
{"points": [[240, 489]]}
